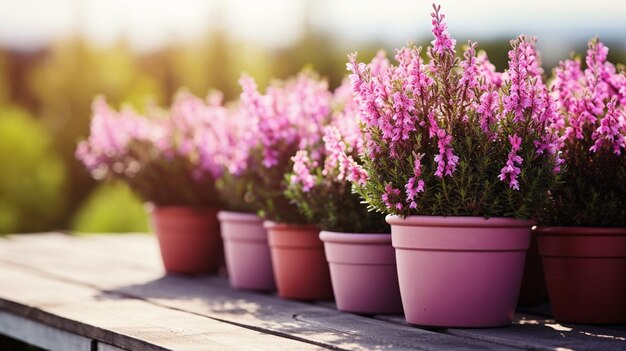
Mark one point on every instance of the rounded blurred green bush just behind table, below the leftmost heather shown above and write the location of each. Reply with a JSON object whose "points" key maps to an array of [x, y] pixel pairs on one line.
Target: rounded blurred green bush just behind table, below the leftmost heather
{"points": [[111, 208]]}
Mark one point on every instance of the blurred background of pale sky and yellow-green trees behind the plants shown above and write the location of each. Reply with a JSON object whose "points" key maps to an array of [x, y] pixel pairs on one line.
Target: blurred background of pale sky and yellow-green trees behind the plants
{"points": [[55, 55]]}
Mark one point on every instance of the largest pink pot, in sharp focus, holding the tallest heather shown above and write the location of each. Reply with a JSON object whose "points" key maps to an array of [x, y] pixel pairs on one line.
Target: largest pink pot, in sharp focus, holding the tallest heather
{"points": [[459, 271]]}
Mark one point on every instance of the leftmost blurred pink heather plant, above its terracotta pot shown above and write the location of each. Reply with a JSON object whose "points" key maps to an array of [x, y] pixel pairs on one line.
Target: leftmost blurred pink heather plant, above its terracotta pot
{"points": [[168, 159]]}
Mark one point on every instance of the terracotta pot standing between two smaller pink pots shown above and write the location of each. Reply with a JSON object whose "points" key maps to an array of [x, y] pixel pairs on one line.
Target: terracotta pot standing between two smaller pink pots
{"points": [[298, 261]]}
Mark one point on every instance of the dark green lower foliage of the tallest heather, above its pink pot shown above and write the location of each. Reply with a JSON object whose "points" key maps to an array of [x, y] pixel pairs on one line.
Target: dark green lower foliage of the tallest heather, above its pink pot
{"points": [[474, 188]]}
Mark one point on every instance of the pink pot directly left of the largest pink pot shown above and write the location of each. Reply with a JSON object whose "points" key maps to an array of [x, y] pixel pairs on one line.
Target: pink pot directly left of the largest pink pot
{"points": [[363, 272]]}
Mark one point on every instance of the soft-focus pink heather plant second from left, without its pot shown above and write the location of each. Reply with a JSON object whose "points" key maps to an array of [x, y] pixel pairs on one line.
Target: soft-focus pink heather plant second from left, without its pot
{"points": [[289, 116]]}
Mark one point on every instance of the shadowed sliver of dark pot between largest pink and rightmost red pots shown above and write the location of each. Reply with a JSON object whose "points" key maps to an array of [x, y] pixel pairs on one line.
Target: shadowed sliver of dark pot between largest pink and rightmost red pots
{"points": [[533, 291]]}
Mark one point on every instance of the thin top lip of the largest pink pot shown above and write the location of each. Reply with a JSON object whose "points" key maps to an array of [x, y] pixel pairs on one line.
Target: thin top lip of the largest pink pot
{"points": [[458, 221]]}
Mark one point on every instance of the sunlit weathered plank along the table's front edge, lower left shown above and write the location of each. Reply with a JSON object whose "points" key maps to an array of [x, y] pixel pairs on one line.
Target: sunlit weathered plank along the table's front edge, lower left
{"points": [[126, 323]]}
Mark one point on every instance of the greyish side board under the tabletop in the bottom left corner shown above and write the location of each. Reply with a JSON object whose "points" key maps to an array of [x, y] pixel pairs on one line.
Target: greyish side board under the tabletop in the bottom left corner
{"points": [[41, 335]]}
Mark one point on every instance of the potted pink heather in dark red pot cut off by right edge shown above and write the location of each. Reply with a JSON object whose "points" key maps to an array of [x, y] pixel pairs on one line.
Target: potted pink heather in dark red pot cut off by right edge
{"points": [[583, 242]]}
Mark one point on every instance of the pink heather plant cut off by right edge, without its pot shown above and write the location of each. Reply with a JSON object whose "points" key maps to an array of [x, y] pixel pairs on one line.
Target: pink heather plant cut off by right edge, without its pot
{"points": [[593, 132]]}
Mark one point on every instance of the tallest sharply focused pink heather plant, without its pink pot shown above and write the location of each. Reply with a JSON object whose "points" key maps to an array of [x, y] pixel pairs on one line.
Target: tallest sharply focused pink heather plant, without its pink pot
{"points": [[452, 137]]}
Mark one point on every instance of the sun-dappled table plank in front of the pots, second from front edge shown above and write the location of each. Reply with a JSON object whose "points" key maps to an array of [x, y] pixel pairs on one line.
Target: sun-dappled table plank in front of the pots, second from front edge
{"points": [[211, 297]]}
